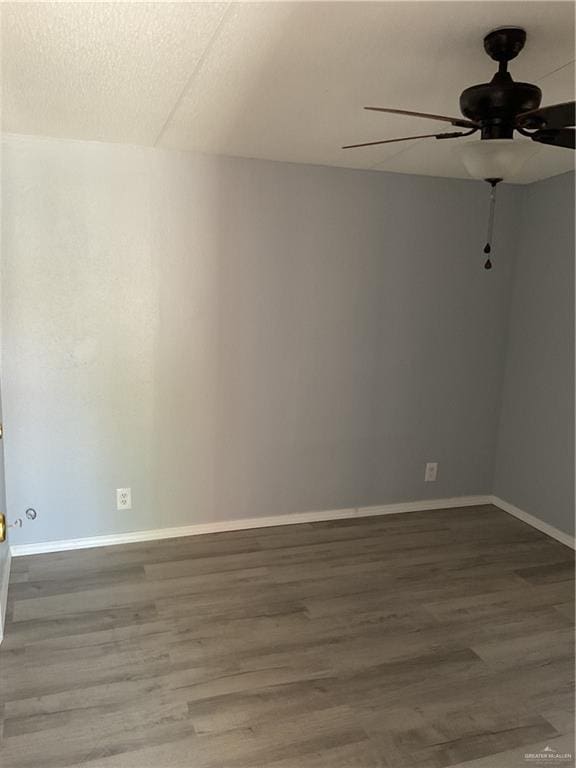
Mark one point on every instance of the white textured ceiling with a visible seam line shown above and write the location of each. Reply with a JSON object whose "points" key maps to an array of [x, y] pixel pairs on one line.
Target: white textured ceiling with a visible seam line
{"points": [[282, 81]]}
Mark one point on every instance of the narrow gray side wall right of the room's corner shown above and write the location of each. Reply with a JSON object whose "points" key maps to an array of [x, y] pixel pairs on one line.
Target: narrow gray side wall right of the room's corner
{"points": [[534, 467]]}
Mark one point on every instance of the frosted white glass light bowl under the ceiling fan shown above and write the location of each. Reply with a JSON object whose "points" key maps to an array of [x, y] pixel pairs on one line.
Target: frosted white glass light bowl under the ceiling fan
{"points": [[496, 158]]}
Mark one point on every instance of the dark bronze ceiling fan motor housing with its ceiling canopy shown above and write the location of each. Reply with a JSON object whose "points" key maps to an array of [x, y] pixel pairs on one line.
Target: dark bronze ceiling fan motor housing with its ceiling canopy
{"points": [[495, 105]]}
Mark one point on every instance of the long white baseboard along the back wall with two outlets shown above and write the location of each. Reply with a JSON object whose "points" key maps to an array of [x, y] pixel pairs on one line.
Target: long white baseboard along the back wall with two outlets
{"points": [[44, 547]]}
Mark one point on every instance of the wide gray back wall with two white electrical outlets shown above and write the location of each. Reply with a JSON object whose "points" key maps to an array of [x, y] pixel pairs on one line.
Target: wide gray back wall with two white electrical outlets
{"points": [[235, 338]]}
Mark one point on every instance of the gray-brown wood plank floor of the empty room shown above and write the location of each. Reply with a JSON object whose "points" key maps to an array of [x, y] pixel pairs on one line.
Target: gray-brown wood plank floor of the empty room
{"points": [[419, 640]]}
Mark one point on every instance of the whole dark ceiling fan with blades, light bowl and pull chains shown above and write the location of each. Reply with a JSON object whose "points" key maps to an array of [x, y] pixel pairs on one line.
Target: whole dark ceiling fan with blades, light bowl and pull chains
{"points": [[497, 109]]}
